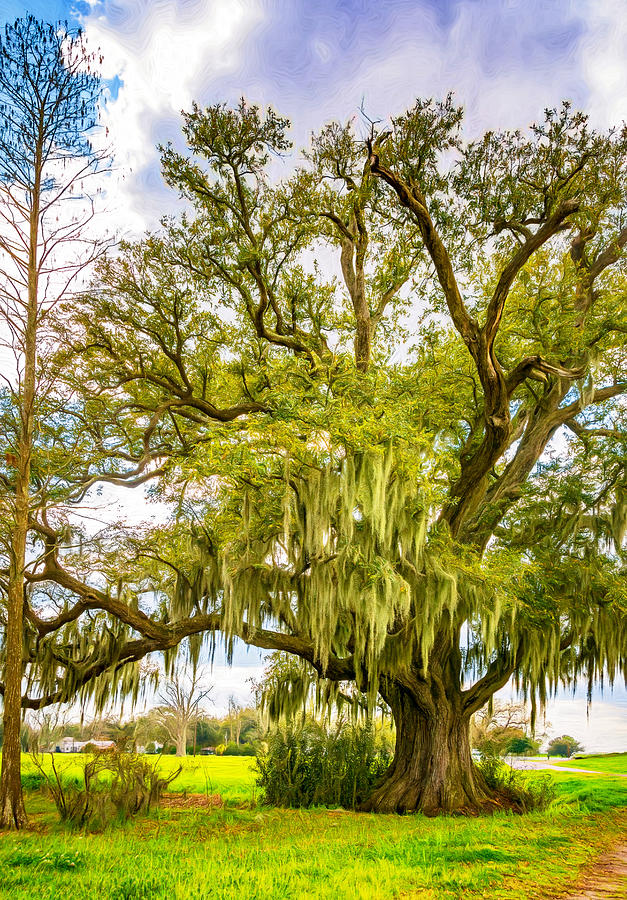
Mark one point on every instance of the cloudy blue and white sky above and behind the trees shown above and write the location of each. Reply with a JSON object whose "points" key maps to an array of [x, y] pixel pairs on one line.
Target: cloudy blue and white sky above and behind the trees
{"points": [[506, 60]]}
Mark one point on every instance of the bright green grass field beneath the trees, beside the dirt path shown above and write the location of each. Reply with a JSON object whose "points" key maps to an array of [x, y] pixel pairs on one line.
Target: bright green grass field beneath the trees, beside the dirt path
{"points": [[260, 853]]}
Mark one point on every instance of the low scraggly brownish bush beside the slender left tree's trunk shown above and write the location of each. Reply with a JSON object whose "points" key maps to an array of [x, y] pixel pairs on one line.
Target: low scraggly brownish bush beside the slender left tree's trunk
{"points": [[116, 785]]}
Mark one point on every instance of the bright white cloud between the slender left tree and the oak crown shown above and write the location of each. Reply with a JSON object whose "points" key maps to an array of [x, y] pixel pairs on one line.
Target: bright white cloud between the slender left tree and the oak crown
{"points": [[163, 54]]}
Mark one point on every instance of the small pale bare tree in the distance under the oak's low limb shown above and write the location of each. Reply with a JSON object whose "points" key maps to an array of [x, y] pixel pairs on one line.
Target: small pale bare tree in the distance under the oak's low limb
{"points": [[181, 705]]}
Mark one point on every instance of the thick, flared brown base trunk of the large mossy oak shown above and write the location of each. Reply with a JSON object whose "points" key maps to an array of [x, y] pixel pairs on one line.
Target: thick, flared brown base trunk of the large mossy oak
{"points": [[432, 771]]}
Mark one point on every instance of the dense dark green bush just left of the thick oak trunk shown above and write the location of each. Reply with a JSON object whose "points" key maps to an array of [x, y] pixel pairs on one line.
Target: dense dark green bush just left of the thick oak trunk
{"points": [[306, 765]]}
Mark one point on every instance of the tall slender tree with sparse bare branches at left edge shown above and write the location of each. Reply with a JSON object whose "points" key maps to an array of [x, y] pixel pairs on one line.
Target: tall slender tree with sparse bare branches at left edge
{"points": [[48, 96]]}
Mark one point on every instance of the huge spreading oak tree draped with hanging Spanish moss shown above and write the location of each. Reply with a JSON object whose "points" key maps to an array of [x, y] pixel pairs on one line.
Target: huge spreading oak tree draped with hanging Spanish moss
{"points": [[426, 521]]}
